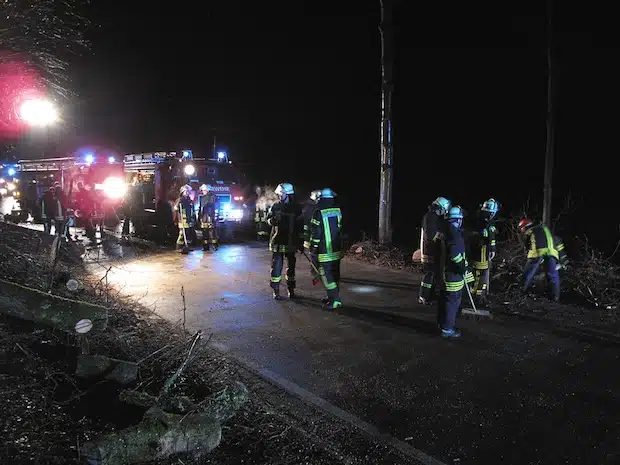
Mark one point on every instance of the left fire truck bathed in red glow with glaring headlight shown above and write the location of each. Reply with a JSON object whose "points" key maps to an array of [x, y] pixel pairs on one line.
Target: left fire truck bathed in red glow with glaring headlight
{"points": [[103, 176]]}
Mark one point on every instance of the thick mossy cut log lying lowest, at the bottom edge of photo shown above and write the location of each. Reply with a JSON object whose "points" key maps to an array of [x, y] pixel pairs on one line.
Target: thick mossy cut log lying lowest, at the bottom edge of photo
{"points": [[160, 435]]}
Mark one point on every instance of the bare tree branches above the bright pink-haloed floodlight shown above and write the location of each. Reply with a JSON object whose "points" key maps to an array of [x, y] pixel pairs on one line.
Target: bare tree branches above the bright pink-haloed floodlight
{"points": [[44, 34]]}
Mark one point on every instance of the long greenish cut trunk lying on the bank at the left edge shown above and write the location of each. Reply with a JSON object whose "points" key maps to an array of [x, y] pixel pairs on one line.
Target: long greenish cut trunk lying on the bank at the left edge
{"points": [[61, 313]]}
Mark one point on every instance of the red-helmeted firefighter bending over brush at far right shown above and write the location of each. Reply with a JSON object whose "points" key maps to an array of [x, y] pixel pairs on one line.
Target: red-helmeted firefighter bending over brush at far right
{"points": [[542, 248]]}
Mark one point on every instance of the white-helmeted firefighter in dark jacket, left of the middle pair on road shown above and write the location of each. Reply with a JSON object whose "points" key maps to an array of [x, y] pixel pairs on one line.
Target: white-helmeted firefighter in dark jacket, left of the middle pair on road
{"points": [[285, 219]]}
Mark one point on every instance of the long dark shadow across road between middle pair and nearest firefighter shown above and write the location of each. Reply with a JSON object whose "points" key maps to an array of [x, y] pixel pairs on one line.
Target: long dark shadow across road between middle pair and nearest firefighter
{"points": [[386, 317]]}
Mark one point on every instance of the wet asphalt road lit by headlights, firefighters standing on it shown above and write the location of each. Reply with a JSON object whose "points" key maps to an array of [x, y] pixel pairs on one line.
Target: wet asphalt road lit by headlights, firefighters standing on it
{"points": [[507, 392]]}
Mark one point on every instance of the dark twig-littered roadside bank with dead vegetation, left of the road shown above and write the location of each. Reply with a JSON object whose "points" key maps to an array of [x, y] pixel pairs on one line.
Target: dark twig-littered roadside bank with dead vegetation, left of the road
{"points": [[54, 412]]}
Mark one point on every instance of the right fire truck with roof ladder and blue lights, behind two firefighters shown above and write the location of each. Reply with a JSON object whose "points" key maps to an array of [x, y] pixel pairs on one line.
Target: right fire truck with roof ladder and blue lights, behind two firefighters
{"points": [[158, 176]]}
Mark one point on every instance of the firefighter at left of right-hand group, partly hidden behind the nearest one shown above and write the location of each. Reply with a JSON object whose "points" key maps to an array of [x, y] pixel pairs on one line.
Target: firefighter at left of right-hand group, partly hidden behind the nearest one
{"points": [[433, 223]]}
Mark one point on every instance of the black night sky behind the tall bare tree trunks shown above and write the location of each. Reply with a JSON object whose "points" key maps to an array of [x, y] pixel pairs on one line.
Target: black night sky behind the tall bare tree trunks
{"points": [[293, 90]]}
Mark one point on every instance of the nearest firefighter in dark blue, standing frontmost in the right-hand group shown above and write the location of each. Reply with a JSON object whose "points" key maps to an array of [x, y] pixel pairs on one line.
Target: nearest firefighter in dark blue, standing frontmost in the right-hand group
{"points": [[452, 269]]}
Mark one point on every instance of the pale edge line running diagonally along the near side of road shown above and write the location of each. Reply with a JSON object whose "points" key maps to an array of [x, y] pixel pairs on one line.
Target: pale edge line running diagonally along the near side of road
{"points": [[326, 406]]}
